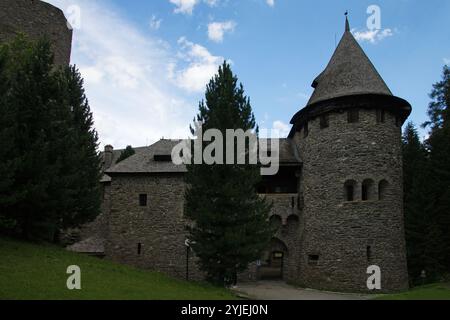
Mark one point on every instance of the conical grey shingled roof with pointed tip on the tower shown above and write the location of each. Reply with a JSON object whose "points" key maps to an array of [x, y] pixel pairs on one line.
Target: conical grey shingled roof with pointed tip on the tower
{"points": [[349, 72]]}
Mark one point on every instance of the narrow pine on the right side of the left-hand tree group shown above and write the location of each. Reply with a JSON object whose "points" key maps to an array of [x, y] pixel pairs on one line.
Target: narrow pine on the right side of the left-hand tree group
{"points": [[80, 172]]}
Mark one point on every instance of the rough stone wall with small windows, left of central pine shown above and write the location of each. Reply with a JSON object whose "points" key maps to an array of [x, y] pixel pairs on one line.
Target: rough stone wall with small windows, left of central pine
{"points": [[159, 227]]}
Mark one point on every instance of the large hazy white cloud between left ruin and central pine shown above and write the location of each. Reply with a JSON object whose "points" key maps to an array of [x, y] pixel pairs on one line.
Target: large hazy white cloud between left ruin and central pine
{"points": [[132, 96]]}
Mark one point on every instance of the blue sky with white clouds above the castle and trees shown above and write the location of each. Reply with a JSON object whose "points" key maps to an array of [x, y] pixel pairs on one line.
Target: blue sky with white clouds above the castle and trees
{"points": [[146, 63]]}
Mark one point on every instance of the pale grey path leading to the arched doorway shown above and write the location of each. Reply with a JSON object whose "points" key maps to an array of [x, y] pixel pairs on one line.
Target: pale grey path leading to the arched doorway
{"points": [[274, 290]]}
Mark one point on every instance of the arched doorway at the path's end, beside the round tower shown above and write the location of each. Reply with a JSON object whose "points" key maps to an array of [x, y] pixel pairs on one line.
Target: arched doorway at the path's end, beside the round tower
{"points": [[274, 261]]}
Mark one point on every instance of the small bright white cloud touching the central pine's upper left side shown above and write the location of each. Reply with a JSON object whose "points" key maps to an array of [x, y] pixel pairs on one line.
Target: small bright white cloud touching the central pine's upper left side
{"points": [[201, 66]]}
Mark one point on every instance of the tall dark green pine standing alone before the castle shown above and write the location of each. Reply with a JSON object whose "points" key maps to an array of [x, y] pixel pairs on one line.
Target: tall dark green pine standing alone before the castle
{"points": [[230, 228]]}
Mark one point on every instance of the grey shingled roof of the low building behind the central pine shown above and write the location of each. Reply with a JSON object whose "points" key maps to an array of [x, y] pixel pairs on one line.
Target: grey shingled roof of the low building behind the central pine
{"points": [[144, 159]]}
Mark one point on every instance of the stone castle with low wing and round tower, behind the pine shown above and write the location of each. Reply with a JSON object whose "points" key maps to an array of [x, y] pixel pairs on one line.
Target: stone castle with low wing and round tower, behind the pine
{"points": [[337, 198]]}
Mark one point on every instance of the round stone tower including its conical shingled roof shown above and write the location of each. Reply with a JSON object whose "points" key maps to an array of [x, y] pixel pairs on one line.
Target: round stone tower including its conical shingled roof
{"points": [[349, 137]]}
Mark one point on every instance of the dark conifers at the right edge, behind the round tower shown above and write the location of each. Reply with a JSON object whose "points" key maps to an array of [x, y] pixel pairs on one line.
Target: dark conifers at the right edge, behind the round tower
{"points": [[427, 189]]}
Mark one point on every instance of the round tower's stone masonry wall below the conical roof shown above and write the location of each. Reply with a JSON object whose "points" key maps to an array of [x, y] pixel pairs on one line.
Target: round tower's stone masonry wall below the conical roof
{"points": [[339, 231]]}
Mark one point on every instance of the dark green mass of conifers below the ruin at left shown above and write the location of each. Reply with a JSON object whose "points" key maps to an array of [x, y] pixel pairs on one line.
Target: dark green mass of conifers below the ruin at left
{"points": [[48, 159]]}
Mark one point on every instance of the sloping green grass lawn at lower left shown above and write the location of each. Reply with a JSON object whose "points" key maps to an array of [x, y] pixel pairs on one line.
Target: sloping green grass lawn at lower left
{"points": [[29, 271]]}
